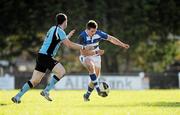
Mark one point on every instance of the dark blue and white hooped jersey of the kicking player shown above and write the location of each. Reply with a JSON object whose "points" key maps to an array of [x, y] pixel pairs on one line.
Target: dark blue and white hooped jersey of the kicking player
{"points": [[86, 40]]}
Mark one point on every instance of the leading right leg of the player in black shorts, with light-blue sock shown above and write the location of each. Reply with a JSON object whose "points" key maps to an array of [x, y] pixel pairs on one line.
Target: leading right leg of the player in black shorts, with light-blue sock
{"points": [[59, 72]]}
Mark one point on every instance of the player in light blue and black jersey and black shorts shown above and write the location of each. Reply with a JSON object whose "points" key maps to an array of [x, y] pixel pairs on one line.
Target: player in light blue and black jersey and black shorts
{"points": [[45, 58]]}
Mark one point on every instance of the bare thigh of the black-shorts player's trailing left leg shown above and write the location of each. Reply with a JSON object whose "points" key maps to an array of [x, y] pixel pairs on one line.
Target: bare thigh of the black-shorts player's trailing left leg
{"points": [[36, 77]]}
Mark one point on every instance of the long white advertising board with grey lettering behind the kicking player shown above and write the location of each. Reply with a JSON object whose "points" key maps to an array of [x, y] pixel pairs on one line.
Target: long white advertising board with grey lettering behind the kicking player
{"points": [[136, 82]]}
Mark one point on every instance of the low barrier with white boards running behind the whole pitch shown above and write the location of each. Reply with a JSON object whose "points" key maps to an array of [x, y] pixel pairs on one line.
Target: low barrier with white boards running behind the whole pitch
{"points": [[134, 82]]}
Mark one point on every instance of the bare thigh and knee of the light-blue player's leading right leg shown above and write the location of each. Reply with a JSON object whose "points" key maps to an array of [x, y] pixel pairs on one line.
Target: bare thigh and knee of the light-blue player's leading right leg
{"points": [[59, 70]]}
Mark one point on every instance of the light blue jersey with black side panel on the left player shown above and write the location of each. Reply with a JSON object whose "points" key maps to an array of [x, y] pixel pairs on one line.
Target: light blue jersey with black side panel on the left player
{"points": [[52, 39]]}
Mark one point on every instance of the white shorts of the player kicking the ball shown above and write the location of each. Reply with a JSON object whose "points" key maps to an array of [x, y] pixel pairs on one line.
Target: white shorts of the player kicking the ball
{"points": [[95, 59]]}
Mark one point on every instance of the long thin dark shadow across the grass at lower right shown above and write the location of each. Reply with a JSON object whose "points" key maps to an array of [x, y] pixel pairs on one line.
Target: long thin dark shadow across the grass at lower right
{"points": [[147, 104]]}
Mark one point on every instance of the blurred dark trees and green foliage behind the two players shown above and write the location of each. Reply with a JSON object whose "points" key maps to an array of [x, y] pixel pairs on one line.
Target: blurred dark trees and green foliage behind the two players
{"points": [[144, 24]]}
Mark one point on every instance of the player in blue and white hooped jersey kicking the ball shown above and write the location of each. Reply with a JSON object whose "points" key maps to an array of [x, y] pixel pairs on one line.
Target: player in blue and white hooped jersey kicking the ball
{"points": [[92, 61]]}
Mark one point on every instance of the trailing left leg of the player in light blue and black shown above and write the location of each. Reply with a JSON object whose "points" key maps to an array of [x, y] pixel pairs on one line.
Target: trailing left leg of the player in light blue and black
{"points": [[36, 78]]}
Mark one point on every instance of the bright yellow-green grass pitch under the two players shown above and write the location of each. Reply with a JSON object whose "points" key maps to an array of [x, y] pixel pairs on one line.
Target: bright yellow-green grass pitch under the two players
{"points": [[70, 102]]}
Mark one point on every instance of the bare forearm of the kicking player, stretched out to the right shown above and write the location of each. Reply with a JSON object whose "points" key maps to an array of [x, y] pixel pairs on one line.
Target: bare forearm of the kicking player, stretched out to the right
{"points": [[117, 42]]}
